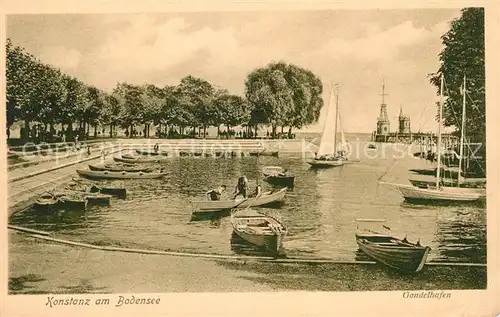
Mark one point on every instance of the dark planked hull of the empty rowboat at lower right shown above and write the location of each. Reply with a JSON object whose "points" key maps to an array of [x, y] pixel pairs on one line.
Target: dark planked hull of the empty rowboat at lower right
{"points": [[404, 259]]}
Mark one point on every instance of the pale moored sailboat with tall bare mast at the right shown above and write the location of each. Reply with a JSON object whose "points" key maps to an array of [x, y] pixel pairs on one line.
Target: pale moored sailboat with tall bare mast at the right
{"points": [[438, 193]]}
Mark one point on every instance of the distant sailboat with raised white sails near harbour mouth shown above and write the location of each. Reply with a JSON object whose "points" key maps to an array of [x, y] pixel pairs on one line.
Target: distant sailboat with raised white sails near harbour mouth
{"points": [[325, 157]]}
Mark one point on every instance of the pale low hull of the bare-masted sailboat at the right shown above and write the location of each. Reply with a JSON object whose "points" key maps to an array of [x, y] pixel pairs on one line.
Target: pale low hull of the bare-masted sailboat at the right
{"points": [[416, 194]]}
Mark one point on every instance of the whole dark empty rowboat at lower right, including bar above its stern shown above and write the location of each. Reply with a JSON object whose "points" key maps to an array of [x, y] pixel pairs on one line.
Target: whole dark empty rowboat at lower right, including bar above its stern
{"points": [[398, 254]]}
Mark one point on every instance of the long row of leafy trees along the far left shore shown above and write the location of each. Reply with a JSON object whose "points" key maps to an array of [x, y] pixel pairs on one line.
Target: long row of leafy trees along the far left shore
{"points": [[279, 95]]}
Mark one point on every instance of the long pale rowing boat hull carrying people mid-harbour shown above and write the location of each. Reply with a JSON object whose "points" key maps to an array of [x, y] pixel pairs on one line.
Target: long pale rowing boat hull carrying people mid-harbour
{"points": [[266, 198]]}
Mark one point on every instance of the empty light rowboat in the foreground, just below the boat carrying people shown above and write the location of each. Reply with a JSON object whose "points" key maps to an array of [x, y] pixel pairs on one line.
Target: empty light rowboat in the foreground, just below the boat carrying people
{"points": [[259, 229]]}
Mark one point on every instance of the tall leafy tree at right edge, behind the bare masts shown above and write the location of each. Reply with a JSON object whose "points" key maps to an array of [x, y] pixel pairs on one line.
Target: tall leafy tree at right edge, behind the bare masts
{"points": [[463, 55]]}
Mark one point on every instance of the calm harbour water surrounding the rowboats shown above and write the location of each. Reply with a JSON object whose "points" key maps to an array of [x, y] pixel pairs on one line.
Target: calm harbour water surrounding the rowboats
{"points": [[320, 211]]}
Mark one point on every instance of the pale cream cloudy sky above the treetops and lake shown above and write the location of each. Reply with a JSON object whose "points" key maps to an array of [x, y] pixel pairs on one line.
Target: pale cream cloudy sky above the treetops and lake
{"points": [[356, 49]]}
